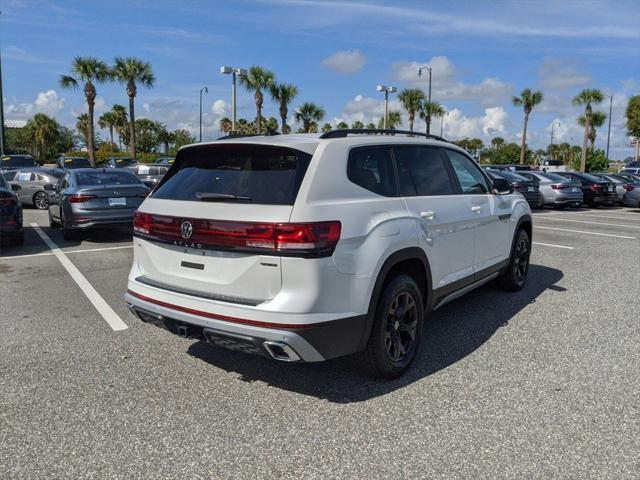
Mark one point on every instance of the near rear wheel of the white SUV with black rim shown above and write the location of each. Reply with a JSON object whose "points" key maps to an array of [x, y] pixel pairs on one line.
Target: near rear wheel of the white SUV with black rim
{"points": [[396, 331]]}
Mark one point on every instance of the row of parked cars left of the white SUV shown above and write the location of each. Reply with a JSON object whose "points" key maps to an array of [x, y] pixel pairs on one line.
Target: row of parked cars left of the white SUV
{"points": [[77, 196]]}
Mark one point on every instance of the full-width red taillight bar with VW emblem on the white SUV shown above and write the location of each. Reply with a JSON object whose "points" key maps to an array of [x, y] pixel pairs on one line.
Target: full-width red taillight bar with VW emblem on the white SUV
{"points": [[305, 239]]}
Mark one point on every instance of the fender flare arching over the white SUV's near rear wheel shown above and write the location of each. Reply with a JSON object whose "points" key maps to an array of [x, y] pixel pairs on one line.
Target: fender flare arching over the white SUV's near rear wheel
{"points": [[411, 253]]}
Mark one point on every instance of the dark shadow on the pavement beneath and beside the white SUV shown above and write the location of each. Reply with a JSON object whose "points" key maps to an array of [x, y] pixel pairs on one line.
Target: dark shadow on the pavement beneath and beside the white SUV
{"points": [[451, 333]]}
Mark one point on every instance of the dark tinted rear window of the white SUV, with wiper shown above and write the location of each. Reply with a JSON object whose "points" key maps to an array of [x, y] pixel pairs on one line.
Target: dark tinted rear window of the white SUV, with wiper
{"points": [[260, 174]]}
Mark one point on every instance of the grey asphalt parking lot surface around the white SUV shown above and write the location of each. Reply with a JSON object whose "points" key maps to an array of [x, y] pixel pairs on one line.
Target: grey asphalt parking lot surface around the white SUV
{"points": [[544, 383]]}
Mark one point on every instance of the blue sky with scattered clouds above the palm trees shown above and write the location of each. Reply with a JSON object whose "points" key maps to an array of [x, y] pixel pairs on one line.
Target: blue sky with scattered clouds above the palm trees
{"points": [[482, 53]]}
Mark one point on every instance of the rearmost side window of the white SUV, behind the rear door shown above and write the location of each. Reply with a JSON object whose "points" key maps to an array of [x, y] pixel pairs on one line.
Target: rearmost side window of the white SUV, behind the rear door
{"points": [[371, 168]]}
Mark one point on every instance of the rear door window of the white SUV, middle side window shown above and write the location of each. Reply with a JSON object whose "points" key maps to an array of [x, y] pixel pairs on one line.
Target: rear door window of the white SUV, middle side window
{"points": [[423, 171]]}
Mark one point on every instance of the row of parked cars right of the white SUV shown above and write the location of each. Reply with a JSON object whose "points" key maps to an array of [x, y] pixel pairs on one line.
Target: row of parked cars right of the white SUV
{"points": [[571, 189]]}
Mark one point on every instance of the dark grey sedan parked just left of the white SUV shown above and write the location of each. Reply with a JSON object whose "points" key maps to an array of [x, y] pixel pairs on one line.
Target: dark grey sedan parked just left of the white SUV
{"points": [[87, 197]]}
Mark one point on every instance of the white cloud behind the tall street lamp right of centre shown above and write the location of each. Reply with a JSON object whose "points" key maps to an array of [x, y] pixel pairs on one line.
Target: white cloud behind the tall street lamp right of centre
{"points": [[446, 86]]}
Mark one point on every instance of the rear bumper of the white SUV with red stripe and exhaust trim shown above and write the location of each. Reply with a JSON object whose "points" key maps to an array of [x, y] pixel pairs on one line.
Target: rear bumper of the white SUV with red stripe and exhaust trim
{"points": [[312, 342]]}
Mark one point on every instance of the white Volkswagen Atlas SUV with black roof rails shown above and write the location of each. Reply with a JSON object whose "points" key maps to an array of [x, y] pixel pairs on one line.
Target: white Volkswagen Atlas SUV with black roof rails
{"points": [[307, 247]]}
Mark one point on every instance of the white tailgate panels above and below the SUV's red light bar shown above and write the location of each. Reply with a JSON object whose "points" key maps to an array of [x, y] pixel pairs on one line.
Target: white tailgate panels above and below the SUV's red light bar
{"points": [[180, 265]]}
